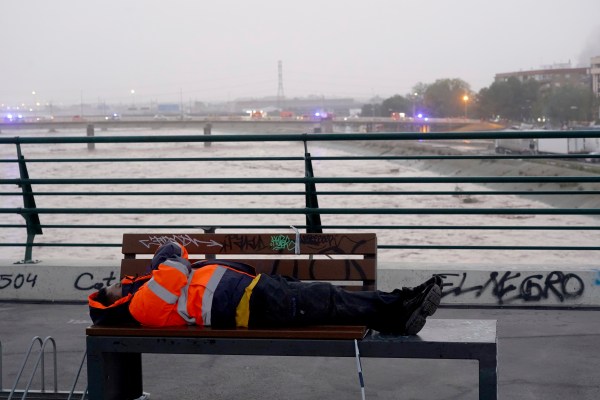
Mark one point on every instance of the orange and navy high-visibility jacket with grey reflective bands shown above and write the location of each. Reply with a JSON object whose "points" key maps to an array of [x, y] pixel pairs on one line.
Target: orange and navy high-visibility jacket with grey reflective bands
{"points": [[173, 292]]}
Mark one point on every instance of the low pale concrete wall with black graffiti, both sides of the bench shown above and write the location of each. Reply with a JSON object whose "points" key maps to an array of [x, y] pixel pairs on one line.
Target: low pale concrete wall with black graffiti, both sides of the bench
{"points": [[530, 285]]}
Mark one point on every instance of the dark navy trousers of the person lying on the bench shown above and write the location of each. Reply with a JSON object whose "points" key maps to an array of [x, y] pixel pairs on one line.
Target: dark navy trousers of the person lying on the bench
{"points": [[277, 301]]}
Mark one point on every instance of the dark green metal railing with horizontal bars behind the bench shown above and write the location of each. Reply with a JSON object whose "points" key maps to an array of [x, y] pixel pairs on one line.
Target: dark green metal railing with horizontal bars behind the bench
{"points": [[443, 192]]}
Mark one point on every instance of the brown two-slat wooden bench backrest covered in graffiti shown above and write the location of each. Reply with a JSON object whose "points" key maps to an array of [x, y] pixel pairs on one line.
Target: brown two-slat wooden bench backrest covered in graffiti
{"points": [[346, 259]]}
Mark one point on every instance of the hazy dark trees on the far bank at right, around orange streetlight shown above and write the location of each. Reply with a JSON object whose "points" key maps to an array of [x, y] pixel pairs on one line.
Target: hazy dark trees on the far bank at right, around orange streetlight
{"points": [[512, 100]]}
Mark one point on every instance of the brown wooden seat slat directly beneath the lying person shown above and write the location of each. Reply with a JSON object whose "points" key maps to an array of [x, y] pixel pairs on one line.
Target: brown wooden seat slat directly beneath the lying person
{"points": [[308, 332]]}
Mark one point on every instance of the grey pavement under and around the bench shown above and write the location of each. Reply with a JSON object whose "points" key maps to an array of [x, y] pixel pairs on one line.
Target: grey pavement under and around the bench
{"points": [[543, 354]]}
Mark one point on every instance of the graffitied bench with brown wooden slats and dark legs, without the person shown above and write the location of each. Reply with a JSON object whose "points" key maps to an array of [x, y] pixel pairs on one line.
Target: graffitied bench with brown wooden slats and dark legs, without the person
{"points": [[114, 352]]}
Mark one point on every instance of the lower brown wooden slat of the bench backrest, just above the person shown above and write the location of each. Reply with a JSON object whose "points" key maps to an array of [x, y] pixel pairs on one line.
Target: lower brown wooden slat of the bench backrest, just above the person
{"points": [[327, 270]]}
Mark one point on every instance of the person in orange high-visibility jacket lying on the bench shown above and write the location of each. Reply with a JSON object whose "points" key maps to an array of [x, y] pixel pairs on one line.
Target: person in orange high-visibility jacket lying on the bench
{"points": [[228, 294]]}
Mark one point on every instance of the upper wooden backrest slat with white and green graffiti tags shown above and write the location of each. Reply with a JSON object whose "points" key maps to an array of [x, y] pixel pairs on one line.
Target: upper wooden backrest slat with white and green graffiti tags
{"points": [[339, 243]]}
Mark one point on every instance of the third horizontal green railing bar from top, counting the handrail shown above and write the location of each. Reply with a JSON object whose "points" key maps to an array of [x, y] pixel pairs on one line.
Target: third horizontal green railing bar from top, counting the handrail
{"points": [[303, 180]]}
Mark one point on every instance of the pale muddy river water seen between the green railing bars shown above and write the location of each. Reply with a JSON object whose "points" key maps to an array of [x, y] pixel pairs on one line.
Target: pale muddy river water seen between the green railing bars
{"points": [[322, 168]]}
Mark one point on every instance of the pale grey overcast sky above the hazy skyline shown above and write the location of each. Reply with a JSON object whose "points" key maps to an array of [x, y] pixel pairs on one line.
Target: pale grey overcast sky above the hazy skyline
{"points": [[69, 50]]}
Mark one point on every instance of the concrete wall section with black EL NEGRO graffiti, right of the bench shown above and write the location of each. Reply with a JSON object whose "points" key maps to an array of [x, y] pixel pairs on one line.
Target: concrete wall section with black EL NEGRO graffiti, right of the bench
{"points": [[505, 285]]}
